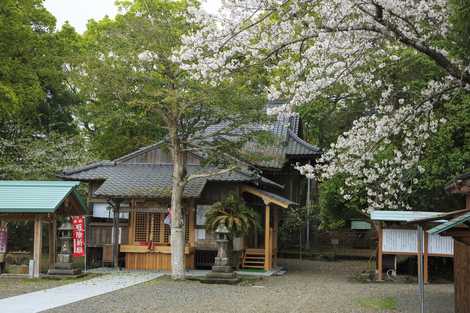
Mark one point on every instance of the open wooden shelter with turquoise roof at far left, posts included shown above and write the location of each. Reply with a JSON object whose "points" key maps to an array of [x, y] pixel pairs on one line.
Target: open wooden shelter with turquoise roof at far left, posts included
{"points": [[41, 202]]}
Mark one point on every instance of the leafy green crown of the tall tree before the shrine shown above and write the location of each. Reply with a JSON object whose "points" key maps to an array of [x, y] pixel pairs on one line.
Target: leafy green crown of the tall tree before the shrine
{"points": [[135, 93]]}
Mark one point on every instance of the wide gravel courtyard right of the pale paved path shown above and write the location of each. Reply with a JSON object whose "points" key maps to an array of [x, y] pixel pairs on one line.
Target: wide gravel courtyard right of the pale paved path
{"points": [[309, 286]]}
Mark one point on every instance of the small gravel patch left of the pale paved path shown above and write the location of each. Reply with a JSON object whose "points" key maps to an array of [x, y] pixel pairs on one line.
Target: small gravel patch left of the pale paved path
{"points": [[13, 286]]}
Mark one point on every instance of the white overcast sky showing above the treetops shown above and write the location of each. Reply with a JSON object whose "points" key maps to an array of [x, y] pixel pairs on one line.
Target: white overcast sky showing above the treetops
{"points": [[78, 12]]}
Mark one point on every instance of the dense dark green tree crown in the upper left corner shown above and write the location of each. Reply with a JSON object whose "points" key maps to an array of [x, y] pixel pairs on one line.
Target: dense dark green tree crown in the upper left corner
{"points": [[33, 87]]}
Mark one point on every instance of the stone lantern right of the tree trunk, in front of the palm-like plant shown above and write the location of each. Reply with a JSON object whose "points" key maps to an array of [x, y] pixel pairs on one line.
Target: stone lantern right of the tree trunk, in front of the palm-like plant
{"points": [[222, 271]]}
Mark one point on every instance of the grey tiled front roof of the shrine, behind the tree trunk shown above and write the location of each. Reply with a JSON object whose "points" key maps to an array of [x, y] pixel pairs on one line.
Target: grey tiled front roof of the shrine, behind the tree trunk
{"points": [[148, 180]]}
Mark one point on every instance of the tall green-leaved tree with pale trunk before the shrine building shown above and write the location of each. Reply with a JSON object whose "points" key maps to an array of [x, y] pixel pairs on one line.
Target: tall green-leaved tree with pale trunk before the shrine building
{"points": [[128, 68]]}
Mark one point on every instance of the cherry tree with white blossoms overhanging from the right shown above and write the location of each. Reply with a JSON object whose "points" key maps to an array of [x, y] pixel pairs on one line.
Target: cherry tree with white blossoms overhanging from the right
{"points": [[310, 46]]}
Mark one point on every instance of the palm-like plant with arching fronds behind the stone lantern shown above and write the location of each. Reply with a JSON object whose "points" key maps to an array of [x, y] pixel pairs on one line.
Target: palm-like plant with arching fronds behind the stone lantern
{"points": [[234, 214]]}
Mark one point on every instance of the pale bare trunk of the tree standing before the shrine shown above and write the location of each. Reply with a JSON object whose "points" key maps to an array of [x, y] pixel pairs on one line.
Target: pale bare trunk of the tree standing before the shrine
{"points": [[177, 224]]}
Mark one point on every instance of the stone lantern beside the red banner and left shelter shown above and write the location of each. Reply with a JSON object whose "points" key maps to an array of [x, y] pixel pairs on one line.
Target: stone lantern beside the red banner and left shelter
{"points": [[64, 257]]}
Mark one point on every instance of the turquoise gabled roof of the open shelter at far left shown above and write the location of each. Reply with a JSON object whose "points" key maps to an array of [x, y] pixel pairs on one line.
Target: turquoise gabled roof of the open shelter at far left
{"points": [[36, 196]]}
